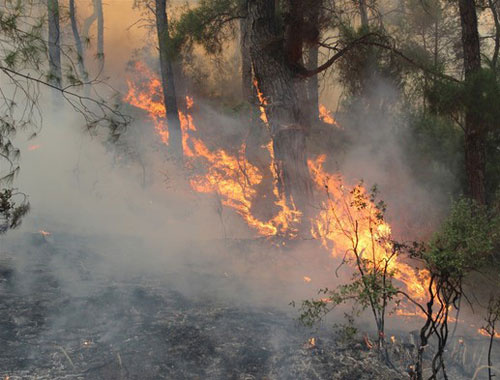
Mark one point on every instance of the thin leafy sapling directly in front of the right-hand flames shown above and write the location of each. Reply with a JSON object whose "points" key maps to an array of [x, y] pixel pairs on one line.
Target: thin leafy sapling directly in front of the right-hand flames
{"points": [[370, 251]]}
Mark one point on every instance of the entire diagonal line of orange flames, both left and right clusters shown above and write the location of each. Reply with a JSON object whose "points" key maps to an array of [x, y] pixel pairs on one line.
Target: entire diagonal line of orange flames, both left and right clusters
{"points": [[234, 179]]}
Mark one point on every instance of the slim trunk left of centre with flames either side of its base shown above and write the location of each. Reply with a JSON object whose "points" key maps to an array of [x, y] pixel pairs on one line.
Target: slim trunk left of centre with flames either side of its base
{"points": [[167, 78]]}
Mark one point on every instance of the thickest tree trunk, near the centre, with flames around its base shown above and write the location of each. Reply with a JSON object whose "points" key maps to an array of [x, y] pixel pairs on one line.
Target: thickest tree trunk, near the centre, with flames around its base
{"points": [[276, 82]]}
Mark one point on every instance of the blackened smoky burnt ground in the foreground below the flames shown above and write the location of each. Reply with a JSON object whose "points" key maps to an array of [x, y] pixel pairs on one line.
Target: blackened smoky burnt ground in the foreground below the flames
{"points": [[62, 319]]}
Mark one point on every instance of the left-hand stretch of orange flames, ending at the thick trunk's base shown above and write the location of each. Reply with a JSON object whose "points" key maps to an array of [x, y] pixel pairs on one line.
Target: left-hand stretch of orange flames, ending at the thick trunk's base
{"points": [[231, 176]]}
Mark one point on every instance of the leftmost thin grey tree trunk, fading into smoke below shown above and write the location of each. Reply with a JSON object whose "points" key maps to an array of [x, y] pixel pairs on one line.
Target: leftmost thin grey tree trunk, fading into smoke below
{"points": [[55, 74]]}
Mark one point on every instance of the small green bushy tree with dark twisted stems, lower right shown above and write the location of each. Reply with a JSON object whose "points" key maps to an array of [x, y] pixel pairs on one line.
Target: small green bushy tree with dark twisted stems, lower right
{"points": [[460, 247]]}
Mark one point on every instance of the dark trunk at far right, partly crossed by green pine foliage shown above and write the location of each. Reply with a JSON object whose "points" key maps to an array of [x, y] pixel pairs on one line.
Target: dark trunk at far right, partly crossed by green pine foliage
{"points": [[475, 133]]}
